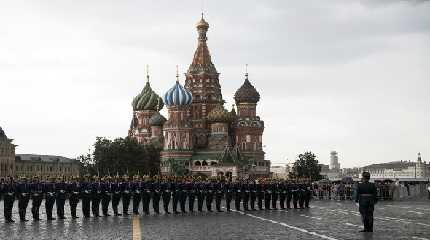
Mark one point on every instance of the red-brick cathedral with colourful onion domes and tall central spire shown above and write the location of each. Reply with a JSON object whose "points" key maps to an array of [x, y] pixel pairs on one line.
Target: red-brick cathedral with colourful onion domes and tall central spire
{"points": [[199, 135]]}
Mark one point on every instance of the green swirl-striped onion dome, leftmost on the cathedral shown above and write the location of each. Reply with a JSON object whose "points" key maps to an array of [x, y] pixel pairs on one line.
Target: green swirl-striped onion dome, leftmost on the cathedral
{"points": [[147, 100]]}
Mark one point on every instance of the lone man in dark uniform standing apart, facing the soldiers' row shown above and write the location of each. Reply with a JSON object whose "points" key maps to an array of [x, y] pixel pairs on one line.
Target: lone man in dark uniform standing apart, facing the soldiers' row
{"points": [[366, 198]]}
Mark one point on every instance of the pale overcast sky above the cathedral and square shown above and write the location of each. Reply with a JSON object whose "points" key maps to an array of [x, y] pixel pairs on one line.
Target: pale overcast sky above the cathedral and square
{"points": [[351, 76]]}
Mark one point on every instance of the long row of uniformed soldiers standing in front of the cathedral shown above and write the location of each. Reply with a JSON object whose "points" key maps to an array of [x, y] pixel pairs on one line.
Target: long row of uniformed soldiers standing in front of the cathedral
{"points": [[93, 192]]}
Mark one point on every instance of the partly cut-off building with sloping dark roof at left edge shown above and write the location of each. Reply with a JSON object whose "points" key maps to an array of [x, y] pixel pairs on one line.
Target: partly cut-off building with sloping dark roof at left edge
{"points": [[7, 155]]}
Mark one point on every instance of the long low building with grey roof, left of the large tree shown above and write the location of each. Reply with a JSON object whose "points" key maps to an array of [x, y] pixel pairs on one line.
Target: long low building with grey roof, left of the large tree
{"points": [[29, 165]]}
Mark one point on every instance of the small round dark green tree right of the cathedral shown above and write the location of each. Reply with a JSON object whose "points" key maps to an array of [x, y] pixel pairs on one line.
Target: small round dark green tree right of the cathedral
{"points": [[306, 166]]}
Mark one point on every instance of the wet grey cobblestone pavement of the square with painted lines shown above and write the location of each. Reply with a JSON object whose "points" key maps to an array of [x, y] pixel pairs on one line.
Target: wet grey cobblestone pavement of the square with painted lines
{"points": [[324, 220]]}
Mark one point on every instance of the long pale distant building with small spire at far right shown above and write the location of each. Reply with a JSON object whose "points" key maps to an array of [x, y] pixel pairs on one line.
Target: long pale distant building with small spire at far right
{"points": [[399, 169]]}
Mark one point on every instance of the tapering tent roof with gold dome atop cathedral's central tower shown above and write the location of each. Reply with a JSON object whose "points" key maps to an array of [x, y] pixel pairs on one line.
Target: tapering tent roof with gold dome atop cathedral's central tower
{"points": [[202, 62]]}
